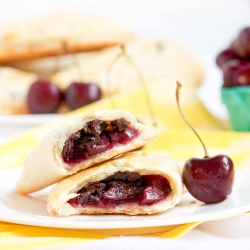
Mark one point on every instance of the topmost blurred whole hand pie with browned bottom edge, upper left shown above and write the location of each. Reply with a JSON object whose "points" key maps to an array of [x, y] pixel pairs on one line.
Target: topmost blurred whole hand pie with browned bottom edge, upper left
{"points": [[56, 34]]}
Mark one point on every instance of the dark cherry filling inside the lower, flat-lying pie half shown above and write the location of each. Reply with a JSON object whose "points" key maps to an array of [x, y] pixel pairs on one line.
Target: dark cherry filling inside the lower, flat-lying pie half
{"points": [[123, 187]]}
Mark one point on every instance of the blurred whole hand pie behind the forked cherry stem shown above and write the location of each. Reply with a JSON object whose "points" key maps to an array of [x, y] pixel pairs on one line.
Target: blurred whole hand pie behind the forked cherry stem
{"points": [[156, 58]]}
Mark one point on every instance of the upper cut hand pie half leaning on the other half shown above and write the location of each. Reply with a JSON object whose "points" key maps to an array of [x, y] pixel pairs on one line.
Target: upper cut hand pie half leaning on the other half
{"points": [[80, 144]]}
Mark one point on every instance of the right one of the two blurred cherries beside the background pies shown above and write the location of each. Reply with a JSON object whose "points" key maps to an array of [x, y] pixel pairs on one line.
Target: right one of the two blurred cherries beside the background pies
{"points": [[80, 94]]}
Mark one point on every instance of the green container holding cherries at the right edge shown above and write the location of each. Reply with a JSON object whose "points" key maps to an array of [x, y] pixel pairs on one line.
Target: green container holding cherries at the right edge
{"points": [[237, 101]]}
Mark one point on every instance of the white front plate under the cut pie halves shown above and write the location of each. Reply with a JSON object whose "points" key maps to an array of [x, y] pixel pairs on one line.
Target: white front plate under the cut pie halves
{"points": [[31, 210]]}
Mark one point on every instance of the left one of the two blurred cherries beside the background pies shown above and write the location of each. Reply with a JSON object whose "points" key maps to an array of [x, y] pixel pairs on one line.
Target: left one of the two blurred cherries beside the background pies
{"points": [[43, 97]]}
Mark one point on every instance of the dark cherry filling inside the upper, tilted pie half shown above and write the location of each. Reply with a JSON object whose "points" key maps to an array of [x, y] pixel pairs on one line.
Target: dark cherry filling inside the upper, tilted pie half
{"points": [[95, 137]]}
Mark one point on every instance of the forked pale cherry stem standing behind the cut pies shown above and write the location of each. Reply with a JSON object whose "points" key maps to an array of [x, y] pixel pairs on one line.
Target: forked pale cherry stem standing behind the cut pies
{"points": [[141, 78]]}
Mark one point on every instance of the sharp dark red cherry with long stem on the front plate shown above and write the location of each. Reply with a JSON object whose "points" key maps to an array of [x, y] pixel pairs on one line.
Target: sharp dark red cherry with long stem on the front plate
{"points": [[208, 179]]}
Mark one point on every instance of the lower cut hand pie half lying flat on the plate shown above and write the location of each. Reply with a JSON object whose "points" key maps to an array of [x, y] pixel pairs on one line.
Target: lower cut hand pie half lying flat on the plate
{"points": [[135, 183]]}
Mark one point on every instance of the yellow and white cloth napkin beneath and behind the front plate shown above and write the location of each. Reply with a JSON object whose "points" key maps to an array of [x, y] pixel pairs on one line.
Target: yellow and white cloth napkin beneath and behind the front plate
{"points": [[173, 136]]}
